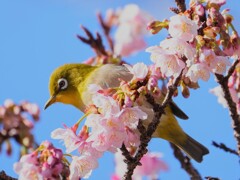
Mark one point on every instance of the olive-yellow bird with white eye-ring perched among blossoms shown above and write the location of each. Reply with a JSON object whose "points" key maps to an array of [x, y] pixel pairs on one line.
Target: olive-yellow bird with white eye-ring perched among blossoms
{"points": [[69, 83]]}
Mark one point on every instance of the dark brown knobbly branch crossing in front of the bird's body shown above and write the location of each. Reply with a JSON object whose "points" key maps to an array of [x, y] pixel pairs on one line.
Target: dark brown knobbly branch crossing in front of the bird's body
{"points": [[146, 134]]}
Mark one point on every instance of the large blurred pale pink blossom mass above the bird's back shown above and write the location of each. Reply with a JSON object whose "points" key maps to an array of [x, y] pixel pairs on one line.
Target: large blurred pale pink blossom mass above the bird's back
{"points": [[129, 35]]}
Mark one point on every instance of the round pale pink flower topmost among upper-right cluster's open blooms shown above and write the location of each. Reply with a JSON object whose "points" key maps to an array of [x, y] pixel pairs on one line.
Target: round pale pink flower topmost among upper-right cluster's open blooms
{"points": [[182, 27]]}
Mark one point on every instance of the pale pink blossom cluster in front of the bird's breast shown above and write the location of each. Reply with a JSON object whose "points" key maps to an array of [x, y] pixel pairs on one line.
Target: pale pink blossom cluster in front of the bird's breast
{"points": [[106, 128]]}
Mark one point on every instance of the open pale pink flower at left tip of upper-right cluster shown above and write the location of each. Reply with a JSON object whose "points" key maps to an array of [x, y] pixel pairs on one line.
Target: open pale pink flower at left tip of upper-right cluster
{"points": [[169, 63]]}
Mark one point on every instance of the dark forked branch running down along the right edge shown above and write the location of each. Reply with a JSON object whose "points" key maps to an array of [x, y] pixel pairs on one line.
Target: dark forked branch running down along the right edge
{"points": [[223, 81]]}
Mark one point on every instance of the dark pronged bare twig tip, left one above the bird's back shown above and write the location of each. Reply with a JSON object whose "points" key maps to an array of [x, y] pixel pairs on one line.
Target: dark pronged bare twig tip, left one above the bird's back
{"points": [[95, 43]]}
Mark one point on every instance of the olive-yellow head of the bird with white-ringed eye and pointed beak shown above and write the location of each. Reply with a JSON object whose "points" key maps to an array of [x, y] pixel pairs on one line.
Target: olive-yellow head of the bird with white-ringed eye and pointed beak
{"points": [[64, 83]]}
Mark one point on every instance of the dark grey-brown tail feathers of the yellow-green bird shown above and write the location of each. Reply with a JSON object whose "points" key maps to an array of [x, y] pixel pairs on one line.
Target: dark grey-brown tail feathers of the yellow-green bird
{"points": [[193, 149]]}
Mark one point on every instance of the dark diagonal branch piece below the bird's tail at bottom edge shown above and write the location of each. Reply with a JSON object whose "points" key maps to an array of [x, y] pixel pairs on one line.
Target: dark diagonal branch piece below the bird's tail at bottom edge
{"points": [[186, 163]]}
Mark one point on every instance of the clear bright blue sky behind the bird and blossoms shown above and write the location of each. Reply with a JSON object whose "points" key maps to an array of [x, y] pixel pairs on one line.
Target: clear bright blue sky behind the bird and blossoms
{"points": [[38, 36]]}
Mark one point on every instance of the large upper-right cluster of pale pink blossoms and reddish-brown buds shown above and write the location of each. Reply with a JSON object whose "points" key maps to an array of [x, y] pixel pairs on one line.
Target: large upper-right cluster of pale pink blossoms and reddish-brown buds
{"points": [[196, 49]]}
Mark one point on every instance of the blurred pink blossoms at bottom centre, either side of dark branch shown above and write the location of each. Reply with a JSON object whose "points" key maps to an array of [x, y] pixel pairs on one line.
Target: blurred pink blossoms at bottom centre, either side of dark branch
{"points": [[151, 166]]}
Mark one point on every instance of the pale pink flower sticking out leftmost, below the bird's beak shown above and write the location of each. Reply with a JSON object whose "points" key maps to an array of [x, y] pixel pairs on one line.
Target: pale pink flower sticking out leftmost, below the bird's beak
{"points": [[71, 140]]}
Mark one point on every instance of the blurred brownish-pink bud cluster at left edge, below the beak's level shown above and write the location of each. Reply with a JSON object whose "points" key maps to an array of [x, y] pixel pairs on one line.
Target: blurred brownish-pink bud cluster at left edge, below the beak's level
{"points": [[15, 123]]}
